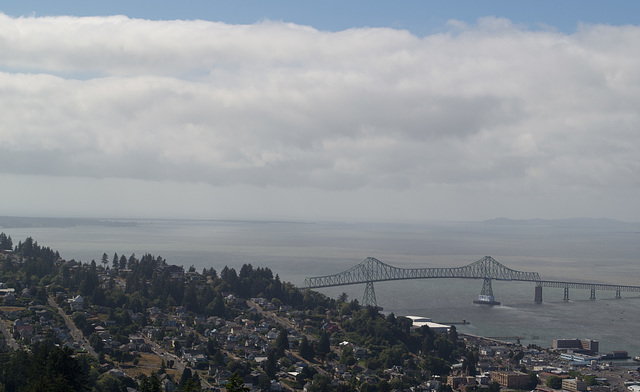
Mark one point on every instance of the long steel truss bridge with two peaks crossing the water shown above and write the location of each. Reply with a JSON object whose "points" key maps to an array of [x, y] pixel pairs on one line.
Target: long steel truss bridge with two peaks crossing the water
{"points": [[373, 270]]}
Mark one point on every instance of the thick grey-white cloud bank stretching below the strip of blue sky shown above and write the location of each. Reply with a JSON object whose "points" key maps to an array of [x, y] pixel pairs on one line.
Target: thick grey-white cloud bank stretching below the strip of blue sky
{"points": [[272, 104]]}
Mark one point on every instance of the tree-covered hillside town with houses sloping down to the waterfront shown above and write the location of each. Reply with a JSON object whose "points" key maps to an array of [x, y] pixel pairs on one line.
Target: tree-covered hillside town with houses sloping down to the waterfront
{"points": [[145, 325]]}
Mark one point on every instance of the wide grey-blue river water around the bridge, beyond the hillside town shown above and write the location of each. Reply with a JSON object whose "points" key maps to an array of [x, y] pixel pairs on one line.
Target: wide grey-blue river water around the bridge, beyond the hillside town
{"points": [[592, 253]]}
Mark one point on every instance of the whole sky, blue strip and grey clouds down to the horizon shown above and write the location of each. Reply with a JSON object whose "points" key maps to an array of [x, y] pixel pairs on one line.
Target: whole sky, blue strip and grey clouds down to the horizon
{"points": [[298, 110]]}
